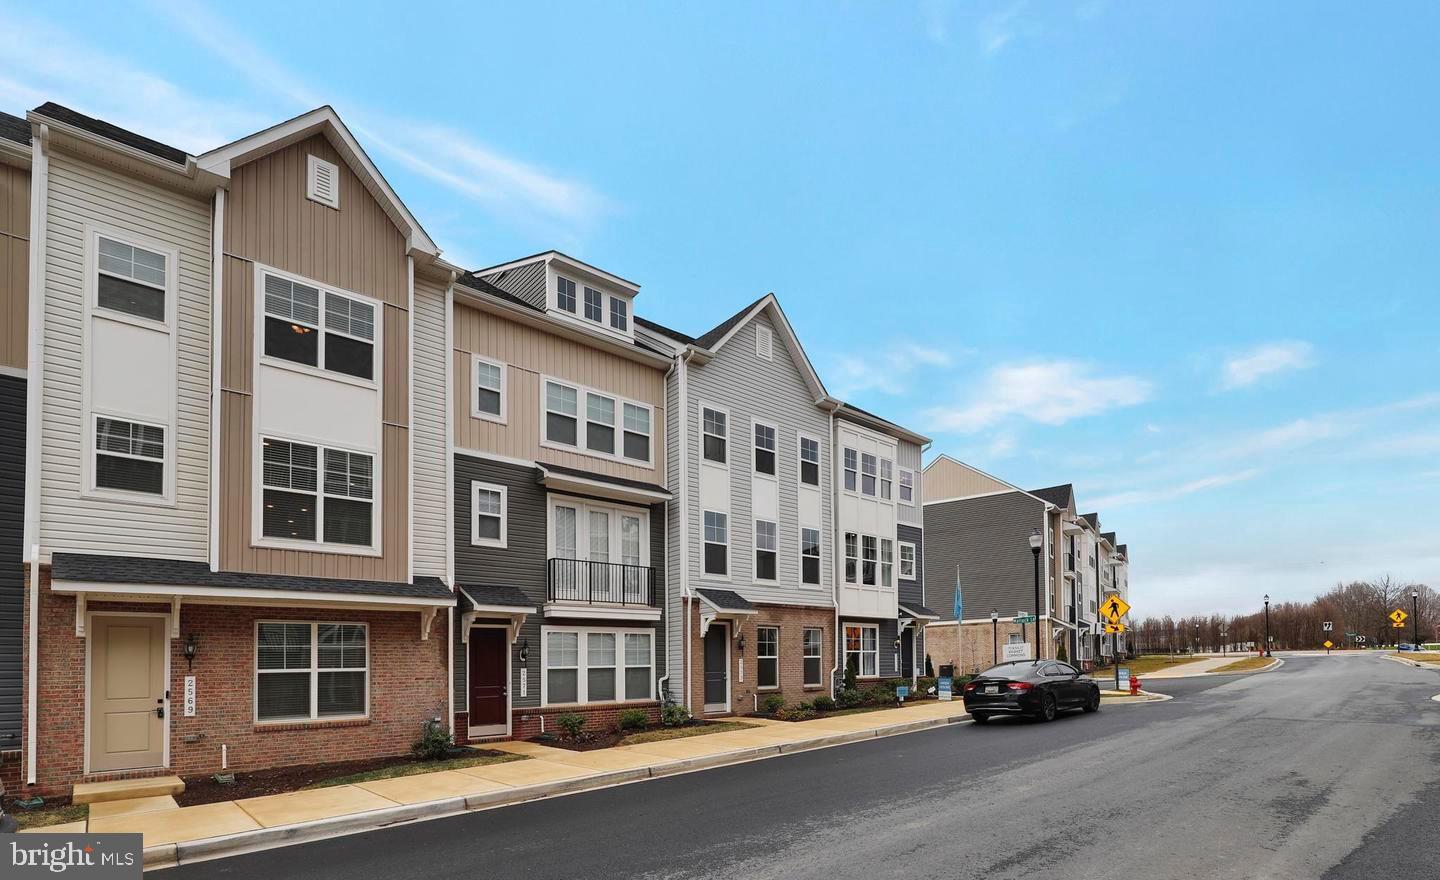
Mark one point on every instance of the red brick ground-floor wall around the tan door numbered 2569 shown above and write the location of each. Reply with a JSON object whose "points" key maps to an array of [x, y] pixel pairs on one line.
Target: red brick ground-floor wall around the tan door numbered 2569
{"points": [[408, 685]]}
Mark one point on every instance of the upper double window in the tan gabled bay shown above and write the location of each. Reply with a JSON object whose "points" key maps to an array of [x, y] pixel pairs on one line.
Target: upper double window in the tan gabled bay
{"points": [[319, 329]]}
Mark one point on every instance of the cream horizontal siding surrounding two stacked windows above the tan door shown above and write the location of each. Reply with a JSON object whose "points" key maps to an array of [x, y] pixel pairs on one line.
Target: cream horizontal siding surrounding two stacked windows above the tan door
{"points": [[84, 194]]}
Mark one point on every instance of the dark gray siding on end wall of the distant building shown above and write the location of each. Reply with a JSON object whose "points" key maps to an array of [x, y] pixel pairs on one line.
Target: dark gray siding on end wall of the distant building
{"points": [[989, 538]]}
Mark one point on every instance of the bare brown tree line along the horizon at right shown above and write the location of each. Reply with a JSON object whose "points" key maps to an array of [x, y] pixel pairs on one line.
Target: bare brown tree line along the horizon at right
{"points": [[1357, 609]]}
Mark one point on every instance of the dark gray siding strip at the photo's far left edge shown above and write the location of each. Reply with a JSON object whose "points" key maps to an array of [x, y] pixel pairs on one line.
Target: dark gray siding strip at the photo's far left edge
{"points": [[12, 571]]}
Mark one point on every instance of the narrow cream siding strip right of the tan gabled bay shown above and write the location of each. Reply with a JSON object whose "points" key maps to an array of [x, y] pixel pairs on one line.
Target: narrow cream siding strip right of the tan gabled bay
{"points": [[431, 361]]}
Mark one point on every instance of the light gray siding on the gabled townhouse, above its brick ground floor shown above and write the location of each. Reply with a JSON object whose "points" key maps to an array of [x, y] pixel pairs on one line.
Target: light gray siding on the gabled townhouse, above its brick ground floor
{"points": [[773, 392]]}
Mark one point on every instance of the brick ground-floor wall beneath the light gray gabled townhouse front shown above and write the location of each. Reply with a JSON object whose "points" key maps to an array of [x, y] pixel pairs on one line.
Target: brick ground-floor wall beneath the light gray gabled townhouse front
{"points": [[793, 621]]}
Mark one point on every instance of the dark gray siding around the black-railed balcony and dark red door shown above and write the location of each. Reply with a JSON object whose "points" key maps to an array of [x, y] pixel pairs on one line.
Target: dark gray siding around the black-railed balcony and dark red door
{"points": [[522, 565]]}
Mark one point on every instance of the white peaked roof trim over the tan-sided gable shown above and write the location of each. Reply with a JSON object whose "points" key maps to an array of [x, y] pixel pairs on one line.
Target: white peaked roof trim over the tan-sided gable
{"points": [[323, 120]]}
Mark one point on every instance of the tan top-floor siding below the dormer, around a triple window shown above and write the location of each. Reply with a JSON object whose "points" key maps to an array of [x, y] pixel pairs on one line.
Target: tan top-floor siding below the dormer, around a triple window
{"points": [[531, 354]]}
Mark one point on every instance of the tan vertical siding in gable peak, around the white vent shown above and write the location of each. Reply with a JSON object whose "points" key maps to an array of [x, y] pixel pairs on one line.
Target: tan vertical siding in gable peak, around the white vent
{"points": [[269, 220]]}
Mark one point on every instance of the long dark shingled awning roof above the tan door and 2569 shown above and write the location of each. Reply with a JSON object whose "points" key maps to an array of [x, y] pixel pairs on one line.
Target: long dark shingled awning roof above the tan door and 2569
{"points": [[142, 570]]}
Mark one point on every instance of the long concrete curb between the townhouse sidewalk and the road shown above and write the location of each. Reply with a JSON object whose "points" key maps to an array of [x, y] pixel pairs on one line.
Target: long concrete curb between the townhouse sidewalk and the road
{"points": [[266, 839]]}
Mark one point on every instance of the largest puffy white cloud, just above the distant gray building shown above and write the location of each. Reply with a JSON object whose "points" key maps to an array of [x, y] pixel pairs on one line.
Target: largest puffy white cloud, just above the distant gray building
{"points": [[1050, 392]]}
